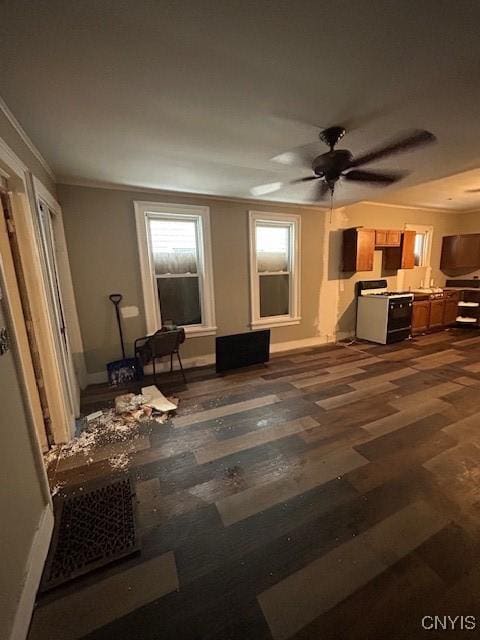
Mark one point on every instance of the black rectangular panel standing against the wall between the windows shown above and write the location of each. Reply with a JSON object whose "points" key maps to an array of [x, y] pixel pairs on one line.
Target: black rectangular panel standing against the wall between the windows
{"points": [[242, 350]]}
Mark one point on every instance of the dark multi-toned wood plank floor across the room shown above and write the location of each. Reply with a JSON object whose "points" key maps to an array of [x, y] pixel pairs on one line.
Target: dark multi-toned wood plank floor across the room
{"points": [[332, 494]]}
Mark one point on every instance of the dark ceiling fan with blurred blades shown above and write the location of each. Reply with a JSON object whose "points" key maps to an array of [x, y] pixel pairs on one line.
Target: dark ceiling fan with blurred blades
{"points": [[329, 167]]}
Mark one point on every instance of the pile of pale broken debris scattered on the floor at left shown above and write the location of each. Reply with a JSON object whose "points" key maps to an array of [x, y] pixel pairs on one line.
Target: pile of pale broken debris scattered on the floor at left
{"points": [[117, 425]]}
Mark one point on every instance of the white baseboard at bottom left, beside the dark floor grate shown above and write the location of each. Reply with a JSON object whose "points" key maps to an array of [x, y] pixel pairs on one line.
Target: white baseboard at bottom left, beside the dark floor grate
{"points": [[35, 563]]}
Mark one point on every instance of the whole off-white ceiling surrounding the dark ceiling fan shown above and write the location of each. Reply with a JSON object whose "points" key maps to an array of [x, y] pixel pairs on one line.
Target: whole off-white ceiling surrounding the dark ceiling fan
{"points": [[198, 96]]}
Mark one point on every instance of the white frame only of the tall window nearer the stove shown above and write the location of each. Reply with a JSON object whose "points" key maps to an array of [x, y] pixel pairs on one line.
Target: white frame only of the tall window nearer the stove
{"points": [[282, 219]]}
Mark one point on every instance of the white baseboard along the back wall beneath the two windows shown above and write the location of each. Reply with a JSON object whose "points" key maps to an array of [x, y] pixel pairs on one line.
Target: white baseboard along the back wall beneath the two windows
{"points": [[100, 377]]}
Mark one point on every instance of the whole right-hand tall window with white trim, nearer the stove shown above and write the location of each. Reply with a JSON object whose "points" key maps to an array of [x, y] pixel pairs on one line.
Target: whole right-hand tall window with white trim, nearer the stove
{"points": [[274, 269]]}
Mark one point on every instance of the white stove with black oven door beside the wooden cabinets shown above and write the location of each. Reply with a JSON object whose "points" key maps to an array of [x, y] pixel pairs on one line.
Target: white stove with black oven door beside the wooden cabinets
{"points": [[382, 316]]}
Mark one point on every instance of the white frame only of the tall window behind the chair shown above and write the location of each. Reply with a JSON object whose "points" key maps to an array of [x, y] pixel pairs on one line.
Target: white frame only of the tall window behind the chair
{"points": [[144, 211]]}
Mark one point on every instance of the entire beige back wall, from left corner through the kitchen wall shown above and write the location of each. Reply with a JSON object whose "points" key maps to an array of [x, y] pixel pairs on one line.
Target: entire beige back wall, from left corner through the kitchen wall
{"points": [[101, 238]]}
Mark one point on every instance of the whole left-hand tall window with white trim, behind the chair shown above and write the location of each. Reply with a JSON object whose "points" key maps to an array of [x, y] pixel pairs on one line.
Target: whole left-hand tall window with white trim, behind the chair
{"points": [[175, 256]]}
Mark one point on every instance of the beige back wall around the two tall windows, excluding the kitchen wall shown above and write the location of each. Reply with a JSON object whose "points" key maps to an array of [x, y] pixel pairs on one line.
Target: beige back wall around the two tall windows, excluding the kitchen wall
{"points": [[102, 244]]}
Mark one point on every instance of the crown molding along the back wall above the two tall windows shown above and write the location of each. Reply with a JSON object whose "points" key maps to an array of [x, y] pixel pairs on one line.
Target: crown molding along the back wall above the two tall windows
{"points": [[92, 184]]}
